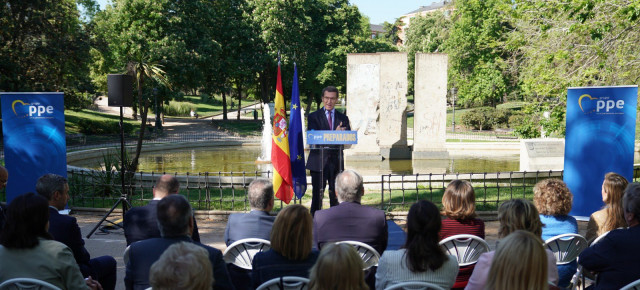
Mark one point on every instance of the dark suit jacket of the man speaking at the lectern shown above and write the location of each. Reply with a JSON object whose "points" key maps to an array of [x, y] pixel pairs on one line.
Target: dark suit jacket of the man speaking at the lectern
{"points": [[318, 121]]}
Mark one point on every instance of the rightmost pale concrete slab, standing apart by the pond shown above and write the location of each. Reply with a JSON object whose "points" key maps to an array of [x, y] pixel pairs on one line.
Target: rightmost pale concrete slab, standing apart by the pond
{"points": [[430, 114]]}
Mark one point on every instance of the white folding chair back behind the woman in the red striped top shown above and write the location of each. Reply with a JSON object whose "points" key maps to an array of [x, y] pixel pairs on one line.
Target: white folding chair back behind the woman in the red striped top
{"points": [[466, 248]]}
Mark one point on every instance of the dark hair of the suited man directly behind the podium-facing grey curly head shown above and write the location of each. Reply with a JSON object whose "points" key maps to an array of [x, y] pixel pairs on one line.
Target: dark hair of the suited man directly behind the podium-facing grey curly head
{"points": [[174, 213]]}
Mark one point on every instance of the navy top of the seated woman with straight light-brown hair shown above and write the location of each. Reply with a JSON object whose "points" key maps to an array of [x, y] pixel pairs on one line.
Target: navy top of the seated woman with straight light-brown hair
{"points": [[270, 264]]}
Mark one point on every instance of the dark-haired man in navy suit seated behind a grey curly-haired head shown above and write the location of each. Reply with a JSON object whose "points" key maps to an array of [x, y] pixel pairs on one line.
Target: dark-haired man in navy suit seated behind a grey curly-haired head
{"points": [[175, 220]]}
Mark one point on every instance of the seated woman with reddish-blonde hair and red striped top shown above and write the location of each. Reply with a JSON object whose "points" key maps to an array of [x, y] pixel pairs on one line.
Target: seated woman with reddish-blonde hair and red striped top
{"points": [[459, 209]]}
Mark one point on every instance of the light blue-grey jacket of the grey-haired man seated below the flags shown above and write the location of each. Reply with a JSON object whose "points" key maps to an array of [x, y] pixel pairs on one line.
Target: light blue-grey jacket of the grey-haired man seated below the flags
{"points": [[255, 224]]}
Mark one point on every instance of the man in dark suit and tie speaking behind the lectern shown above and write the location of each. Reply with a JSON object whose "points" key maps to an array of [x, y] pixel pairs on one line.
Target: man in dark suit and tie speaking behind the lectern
{"points": [[326, 161]]}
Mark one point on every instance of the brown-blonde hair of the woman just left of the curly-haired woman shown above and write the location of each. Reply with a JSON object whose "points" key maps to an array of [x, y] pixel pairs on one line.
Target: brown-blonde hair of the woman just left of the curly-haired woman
{"points": [[518, 214]]}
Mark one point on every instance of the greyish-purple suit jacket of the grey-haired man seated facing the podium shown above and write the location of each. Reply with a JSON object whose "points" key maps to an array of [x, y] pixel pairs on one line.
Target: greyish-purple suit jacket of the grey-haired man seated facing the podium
{"points": [[351, 221]]}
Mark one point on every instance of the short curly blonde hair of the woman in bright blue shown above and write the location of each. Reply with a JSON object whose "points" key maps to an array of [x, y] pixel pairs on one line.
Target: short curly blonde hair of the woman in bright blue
{"points": [[552, 197]]}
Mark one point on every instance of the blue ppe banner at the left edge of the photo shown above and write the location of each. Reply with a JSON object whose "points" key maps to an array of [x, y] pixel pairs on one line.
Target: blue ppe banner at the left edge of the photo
{"points": [[34, 139]]}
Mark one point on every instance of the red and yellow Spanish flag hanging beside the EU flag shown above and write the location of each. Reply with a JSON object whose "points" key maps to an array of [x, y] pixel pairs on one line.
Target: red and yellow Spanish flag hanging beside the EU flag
{"points": [[280, 148]]}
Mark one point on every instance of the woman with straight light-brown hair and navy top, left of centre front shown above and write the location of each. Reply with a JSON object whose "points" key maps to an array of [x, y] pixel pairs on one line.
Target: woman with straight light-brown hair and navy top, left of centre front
{"points": [[291, 242]]}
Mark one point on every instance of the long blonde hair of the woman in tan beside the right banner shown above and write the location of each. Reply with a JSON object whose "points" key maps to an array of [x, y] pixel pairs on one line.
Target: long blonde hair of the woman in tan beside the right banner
{"points": [[614, 185]]}
